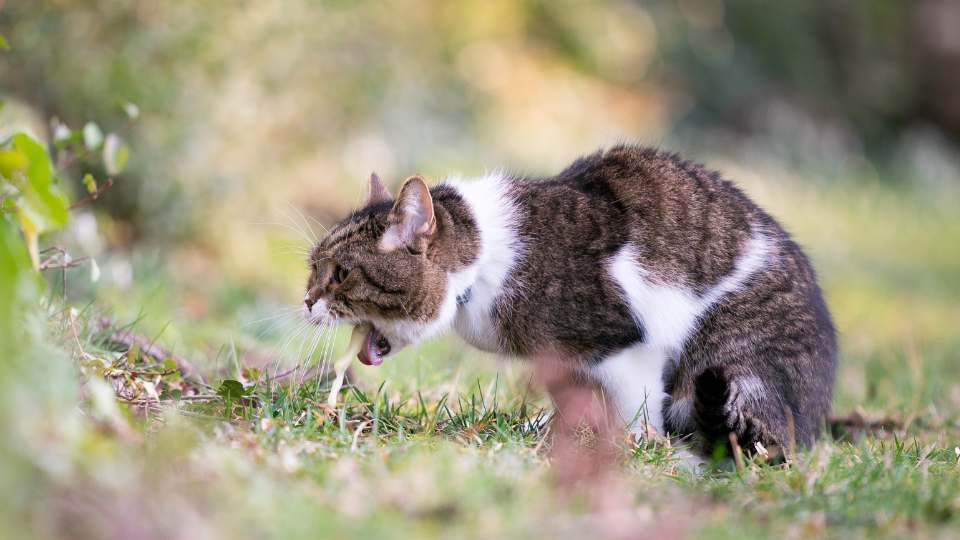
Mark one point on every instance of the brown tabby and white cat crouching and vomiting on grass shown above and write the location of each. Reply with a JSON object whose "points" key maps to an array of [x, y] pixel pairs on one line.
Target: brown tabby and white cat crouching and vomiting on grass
{"points": [[689, 306]]}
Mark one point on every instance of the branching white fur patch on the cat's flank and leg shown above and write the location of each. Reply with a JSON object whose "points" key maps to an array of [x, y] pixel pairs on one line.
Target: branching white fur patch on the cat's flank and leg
{"points": [[669, 314]]}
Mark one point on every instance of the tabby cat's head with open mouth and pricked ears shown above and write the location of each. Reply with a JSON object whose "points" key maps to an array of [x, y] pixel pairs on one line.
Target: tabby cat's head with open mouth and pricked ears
{"points": [[380, 266]]}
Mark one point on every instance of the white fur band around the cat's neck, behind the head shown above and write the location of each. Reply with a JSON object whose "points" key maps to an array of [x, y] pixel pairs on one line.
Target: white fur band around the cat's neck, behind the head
{"points": [[487, 278]]}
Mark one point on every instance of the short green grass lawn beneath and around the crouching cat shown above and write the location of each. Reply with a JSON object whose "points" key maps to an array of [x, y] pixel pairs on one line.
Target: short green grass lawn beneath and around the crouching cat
{"points": [[444, 442]]}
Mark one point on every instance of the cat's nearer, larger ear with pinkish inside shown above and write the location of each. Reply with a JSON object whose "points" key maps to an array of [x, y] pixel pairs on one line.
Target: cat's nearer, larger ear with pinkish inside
{"points": [[411, 221]]}
